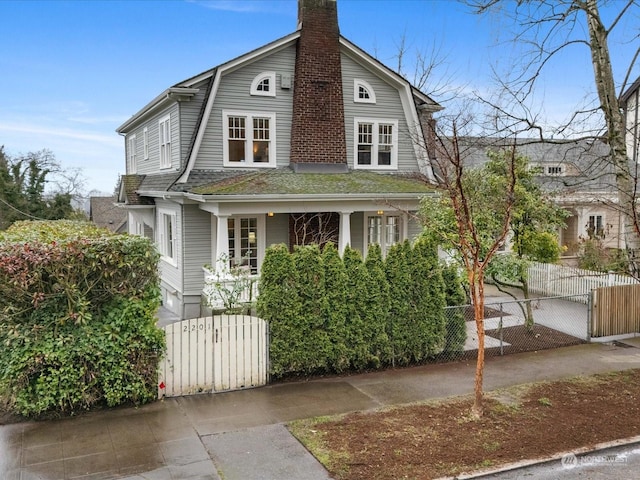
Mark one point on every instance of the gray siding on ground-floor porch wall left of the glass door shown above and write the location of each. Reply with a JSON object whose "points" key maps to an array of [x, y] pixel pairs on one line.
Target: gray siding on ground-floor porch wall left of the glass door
{"points": [[197, 247]]}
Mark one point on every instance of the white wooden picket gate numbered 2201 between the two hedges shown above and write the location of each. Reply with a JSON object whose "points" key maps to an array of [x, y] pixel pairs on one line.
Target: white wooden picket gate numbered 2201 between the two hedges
{"points": [[214, 354]]}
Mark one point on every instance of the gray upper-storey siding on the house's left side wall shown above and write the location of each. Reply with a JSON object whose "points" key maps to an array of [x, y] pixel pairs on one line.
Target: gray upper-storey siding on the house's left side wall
{"points": [[152, 165]]}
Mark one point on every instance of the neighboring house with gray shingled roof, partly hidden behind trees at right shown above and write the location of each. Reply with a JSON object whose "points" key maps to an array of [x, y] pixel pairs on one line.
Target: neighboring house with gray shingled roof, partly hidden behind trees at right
{"points": [[578, 174]]}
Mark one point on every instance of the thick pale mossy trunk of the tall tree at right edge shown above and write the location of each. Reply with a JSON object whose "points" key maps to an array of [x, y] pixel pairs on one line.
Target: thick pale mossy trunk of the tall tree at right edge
{"points": [[605, 85]]}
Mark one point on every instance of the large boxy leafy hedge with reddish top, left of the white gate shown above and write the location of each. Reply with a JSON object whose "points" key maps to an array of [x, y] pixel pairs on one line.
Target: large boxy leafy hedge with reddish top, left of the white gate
{"points": [[77, 317]]}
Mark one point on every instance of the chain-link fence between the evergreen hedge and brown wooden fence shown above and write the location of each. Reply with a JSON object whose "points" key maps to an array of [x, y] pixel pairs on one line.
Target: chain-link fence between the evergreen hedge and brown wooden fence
{"points": [[518, 326]]}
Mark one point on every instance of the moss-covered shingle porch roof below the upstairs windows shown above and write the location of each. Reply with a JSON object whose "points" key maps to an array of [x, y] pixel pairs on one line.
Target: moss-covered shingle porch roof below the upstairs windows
{"points": [[287, 182]]}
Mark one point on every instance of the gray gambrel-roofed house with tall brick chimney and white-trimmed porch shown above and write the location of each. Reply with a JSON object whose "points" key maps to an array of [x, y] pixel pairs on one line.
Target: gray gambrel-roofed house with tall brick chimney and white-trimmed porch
{"points": [[306, 138]]}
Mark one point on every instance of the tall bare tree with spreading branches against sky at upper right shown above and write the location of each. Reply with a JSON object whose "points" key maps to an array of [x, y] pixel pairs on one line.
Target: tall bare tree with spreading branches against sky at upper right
{"points": [[547, 28]]}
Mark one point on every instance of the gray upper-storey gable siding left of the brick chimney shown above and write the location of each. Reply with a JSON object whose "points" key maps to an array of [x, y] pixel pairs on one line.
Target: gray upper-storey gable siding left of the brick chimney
{"points": [[233, 94]]}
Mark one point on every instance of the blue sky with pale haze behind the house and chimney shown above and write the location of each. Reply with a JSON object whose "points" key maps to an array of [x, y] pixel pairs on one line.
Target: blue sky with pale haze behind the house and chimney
{"points": [[72, 71]]}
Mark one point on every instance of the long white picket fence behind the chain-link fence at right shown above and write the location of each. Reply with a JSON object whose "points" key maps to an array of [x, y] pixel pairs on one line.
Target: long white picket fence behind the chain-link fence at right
{"points": [[559, 280]]}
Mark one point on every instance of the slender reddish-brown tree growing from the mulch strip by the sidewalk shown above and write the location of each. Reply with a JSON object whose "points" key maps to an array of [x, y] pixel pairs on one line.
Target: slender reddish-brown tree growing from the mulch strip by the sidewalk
{"points": [[472, 217]]}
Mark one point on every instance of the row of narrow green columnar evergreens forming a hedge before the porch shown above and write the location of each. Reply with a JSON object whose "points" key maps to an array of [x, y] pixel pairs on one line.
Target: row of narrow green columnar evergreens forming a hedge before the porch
{"points": [[330, 314]]}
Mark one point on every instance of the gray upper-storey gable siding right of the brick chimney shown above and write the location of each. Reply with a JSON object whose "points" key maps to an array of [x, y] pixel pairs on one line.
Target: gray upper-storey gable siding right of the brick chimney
{"points": [[388, 105]]}
